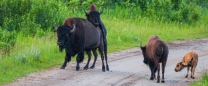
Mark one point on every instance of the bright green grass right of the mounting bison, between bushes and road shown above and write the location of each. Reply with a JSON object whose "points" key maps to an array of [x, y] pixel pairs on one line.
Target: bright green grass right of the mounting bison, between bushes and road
{"points": [[124, 34]]}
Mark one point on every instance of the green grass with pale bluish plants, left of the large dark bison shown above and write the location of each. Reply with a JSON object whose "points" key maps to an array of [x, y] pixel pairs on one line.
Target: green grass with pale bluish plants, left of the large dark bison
{"points": [[29, 54]]}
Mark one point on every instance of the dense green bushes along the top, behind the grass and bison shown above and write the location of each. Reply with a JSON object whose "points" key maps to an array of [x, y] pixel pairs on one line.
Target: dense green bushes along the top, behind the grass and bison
{"points": [[34, 17]]}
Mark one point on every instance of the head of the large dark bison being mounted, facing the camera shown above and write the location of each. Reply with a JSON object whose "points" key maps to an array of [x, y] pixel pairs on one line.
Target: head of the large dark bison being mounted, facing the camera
{"points": [[64, 34]]}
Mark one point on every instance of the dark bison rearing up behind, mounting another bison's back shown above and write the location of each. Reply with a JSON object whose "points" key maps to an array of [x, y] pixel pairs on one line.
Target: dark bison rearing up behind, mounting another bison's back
{"points": [[94, 17]]}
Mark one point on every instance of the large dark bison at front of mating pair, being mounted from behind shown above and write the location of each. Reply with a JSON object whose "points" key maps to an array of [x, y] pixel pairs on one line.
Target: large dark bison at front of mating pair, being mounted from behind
{"points": [[77, 35]]}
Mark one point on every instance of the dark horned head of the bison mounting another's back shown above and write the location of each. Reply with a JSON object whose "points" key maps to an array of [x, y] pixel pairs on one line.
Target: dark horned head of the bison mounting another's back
{"points": [[94, 17]]}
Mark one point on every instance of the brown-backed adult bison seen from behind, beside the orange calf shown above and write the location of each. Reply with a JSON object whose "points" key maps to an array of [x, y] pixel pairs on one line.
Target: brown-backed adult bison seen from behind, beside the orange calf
{"points": [[155, 52]]}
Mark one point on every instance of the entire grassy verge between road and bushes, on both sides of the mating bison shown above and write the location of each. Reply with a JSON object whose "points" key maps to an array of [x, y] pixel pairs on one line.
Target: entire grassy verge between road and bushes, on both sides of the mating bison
{"points": [[40, 53]]}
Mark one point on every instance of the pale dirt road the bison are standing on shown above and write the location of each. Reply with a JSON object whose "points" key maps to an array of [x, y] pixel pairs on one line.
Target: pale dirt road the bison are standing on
{"points": [[126, 69]]}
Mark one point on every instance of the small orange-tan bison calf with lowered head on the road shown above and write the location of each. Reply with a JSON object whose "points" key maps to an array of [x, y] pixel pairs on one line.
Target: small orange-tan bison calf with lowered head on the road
{"points": [[189, 60]]}
